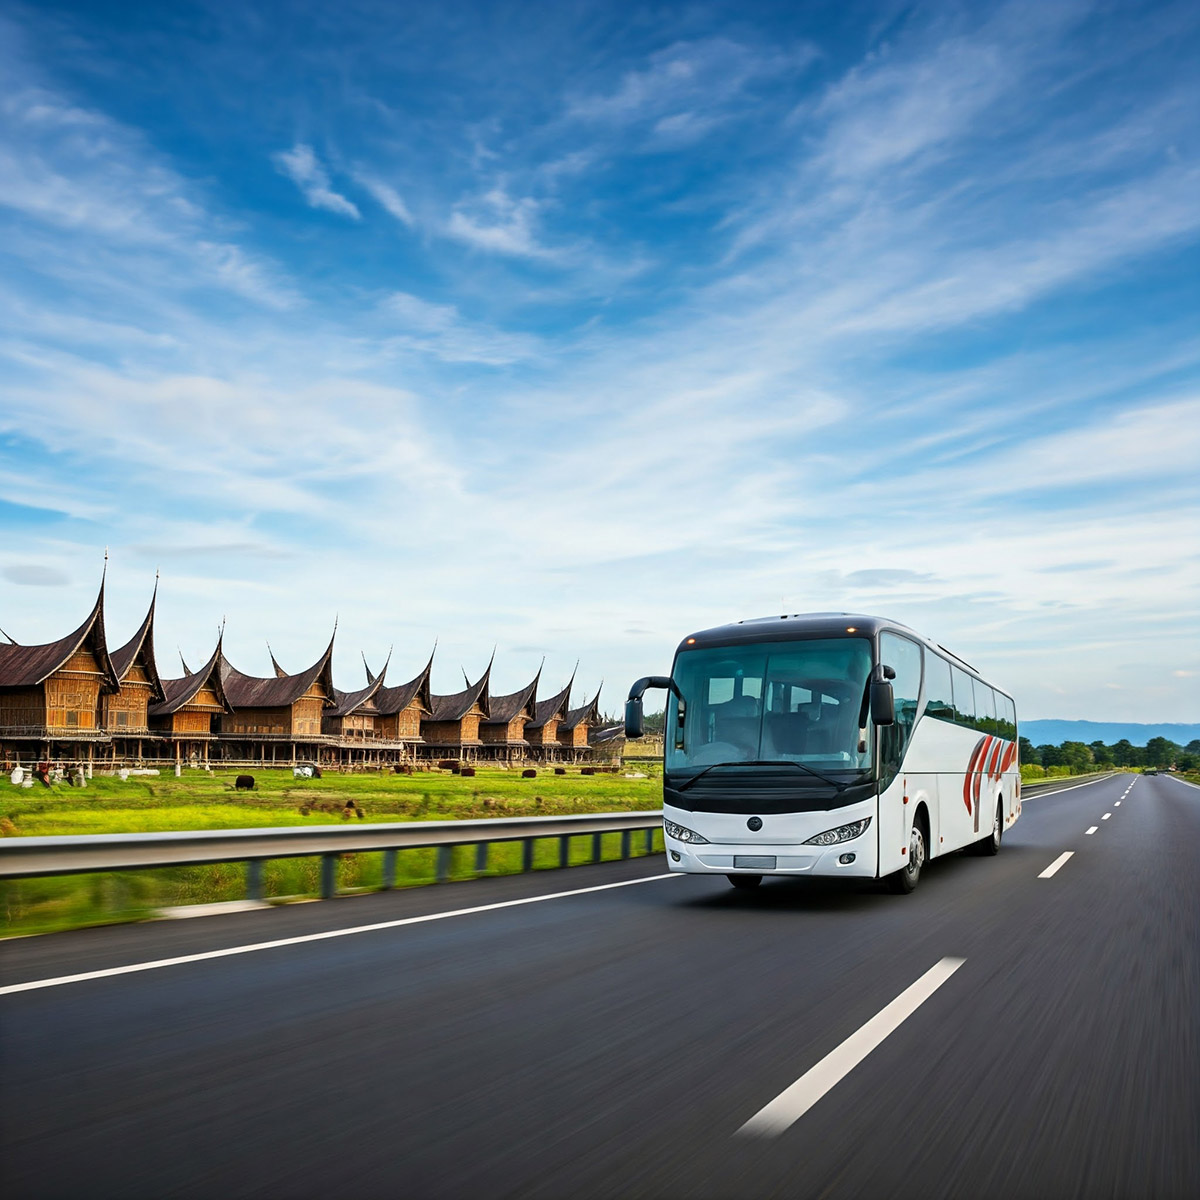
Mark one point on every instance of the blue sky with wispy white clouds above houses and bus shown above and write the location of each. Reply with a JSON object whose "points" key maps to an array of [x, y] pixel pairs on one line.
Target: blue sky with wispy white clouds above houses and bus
{"points": [[571, 328]]}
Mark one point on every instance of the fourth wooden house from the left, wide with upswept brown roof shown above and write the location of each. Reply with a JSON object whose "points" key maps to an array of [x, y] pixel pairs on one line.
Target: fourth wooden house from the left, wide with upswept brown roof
{"points": [[277, 719]]}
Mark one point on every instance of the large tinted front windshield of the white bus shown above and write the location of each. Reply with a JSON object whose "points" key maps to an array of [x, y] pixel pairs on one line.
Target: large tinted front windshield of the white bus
{"points": [[773, 703]]}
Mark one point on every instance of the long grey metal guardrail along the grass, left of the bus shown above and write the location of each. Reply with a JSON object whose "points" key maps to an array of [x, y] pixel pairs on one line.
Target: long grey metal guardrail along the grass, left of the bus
{"points": [[31, 857]]}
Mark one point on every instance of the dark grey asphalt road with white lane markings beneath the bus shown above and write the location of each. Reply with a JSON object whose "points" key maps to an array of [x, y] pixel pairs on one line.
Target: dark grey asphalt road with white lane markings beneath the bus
{"points": [[615, 1042]]}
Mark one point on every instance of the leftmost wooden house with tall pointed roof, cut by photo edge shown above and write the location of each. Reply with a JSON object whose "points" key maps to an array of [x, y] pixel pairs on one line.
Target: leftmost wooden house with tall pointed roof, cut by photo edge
{"points": [[51, 694]]}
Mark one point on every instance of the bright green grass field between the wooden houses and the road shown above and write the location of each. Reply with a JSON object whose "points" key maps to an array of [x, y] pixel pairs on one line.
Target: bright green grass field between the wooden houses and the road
{"points": [[200, 801]]}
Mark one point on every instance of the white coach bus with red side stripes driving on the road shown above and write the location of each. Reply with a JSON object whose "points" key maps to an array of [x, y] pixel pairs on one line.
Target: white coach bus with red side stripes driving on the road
{"points": [[830, 745]]}
